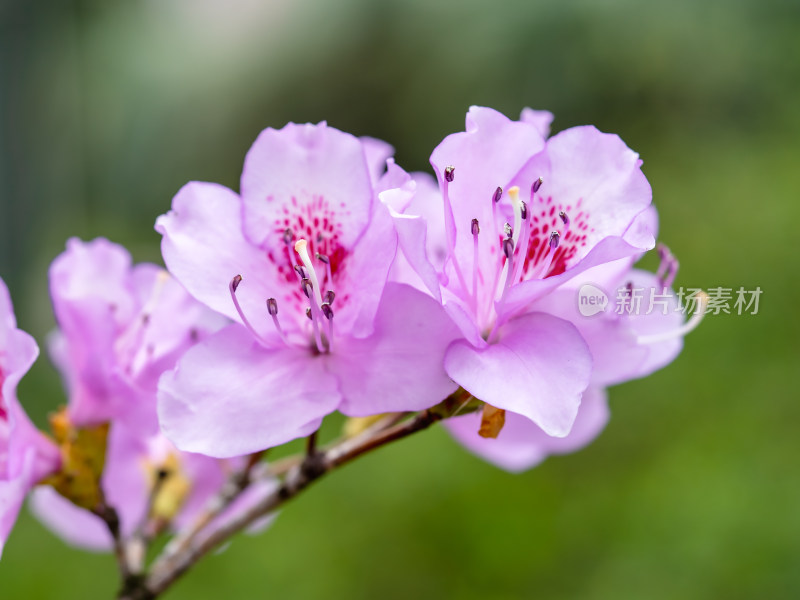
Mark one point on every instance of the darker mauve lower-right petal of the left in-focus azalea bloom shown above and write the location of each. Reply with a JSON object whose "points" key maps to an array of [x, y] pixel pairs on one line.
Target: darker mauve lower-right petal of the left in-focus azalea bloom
{"points": [[399, 367]]}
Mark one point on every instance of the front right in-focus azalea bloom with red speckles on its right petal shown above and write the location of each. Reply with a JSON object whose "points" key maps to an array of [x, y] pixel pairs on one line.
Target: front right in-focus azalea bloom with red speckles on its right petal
{"points": [[502, 253]]}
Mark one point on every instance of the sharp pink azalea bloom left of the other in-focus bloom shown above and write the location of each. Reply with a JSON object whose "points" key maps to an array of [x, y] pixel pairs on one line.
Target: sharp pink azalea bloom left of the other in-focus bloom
{"points": [[300, 260]]}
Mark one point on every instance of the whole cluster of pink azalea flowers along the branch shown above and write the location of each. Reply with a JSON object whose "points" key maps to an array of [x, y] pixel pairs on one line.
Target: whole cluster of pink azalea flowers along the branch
{"points": [[336, 281]]}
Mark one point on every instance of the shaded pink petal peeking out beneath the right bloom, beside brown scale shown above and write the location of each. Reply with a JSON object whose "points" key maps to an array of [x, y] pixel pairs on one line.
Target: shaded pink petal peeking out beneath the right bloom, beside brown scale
{"points": [[522, 445]]}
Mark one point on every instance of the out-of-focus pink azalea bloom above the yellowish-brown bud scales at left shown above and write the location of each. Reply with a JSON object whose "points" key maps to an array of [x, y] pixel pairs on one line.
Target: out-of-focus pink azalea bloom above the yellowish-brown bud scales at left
{"points": [[120, 327]]}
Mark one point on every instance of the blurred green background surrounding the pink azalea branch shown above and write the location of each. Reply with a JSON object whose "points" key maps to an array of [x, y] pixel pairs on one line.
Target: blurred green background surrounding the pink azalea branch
{"points": [[693, 491]]}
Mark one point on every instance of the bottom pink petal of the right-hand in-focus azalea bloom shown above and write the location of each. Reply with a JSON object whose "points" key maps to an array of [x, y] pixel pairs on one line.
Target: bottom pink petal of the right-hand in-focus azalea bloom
{"points": [[538, 369]]}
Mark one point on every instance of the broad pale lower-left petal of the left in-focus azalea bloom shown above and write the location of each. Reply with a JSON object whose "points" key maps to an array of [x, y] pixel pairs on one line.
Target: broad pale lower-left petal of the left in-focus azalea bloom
{"points": [[229, 396]]}
